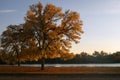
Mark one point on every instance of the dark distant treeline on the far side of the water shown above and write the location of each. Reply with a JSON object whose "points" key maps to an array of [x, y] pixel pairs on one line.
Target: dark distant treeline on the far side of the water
{"points": [[96, 57]]}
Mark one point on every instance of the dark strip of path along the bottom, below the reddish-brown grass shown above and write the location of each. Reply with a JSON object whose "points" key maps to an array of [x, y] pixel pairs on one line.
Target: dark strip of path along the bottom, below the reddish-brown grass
{"points": [[60, 77]]}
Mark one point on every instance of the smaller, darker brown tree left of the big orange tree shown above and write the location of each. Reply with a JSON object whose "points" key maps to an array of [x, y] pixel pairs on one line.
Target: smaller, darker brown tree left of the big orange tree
{"points": [[11, 43]]}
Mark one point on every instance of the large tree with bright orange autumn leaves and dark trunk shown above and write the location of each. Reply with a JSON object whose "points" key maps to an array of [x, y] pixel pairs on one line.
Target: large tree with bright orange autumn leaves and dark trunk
{"points": [[52, 30]]}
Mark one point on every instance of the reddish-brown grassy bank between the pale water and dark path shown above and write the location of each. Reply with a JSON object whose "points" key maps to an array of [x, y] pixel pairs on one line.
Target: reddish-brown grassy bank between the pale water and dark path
{"points": [[58, 70]]}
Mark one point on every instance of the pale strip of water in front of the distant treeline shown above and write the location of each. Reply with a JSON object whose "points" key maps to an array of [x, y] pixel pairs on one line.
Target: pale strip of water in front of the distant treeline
{"points": [[75, 65]]}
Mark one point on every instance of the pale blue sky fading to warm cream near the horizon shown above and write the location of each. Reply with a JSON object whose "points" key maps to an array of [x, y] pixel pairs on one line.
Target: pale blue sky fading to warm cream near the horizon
{"points": [[101, 21]]}
